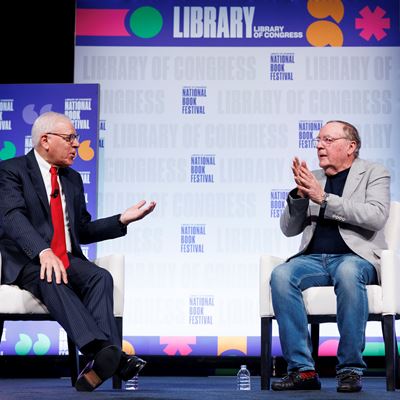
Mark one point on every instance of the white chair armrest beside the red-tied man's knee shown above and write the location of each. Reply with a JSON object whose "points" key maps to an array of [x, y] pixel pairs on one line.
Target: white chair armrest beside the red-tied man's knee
{"points": [[115, 264]]}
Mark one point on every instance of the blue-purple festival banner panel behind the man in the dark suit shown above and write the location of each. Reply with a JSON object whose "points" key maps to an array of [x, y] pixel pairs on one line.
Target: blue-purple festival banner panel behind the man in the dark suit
{"points": [[20, 105]]}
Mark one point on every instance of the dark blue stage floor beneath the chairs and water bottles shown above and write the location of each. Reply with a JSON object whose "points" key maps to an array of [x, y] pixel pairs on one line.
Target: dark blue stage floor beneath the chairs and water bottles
{"points": [[183, 388]]}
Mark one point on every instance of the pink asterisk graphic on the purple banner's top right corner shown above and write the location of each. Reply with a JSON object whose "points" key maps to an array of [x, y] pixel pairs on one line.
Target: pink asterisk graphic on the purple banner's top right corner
{"points": [[372, 23]]}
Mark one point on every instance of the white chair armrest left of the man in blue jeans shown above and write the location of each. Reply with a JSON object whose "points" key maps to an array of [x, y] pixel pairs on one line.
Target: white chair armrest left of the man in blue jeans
{"points": [[267, 264]]}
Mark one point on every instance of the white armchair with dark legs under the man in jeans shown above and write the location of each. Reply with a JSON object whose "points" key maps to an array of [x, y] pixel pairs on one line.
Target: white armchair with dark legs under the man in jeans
{"points": [[320, 303]]}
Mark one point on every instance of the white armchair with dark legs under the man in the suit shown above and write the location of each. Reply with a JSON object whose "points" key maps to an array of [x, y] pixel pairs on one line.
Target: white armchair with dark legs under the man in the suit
{"points": [[20, 305]]}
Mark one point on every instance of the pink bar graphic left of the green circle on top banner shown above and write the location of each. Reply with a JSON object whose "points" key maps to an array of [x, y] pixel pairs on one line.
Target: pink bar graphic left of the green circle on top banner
{"points": [[91, 22]]}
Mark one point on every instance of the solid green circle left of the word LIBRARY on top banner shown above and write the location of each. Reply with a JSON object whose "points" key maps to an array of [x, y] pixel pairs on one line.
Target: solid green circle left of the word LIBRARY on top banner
{"points": [[146, 22]]}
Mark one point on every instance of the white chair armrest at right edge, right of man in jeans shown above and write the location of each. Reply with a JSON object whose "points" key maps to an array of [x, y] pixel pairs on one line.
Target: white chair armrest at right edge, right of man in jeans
{"points": [[390, 280]]}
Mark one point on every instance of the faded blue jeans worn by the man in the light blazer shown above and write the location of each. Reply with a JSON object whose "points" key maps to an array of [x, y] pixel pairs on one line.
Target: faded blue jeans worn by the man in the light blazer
{"points": [[349, 274]]}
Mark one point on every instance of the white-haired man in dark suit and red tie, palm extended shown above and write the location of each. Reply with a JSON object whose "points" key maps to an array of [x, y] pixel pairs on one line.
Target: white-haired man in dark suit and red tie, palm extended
{"points": [[77, 293]]}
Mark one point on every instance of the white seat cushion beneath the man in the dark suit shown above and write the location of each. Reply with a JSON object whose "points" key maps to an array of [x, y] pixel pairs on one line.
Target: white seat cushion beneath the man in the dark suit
{"points": [[14, 300]]}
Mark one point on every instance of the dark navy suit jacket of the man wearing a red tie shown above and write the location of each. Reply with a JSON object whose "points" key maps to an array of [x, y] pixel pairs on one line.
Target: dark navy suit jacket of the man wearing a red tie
{"points": [[25, 220]]}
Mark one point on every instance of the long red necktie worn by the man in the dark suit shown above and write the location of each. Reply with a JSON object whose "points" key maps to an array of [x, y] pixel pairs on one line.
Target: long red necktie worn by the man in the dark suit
{"points": [[57, 218]]}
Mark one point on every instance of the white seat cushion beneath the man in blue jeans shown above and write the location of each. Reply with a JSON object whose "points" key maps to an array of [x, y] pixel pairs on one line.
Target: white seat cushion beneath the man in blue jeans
{"points": [[322, 300]]}
